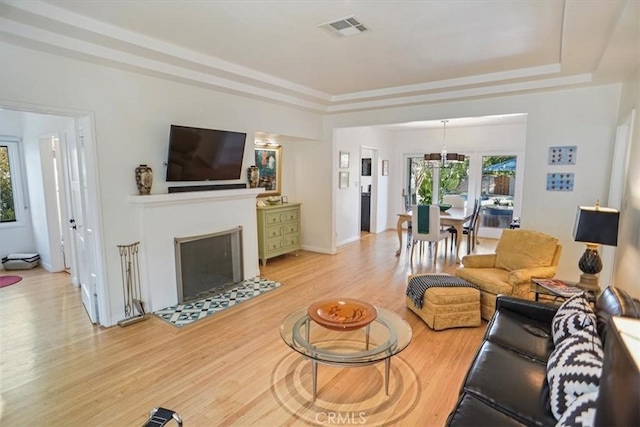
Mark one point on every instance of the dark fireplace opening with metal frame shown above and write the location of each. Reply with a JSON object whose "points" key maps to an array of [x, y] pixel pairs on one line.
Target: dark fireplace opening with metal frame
{"points": [[208, 264]]}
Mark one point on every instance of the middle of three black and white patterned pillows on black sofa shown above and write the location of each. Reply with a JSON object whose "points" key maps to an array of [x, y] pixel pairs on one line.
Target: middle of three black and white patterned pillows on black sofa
{"points": [[574, 368]]}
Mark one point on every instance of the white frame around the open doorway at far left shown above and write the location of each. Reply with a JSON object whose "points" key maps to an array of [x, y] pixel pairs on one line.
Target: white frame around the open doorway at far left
{"points": [[94, 210]]}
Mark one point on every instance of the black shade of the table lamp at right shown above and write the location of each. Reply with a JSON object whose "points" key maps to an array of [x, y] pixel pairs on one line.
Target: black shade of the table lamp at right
{"points": [[596, 225]]}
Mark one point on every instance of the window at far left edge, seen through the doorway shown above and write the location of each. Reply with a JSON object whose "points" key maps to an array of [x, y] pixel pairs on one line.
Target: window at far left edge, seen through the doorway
{"points": [[9, 182]]}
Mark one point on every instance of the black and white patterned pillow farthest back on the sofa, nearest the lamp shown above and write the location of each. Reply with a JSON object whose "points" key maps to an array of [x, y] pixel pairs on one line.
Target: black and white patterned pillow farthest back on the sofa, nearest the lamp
{"points": [[573, 315]]}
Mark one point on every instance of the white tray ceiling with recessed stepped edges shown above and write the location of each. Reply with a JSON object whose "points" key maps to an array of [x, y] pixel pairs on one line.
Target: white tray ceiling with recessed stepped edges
{"points": [[415, 51]]}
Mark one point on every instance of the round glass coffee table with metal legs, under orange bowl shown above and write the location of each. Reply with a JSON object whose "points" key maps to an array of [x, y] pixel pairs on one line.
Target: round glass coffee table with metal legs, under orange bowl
{"points": [[378, 341]]}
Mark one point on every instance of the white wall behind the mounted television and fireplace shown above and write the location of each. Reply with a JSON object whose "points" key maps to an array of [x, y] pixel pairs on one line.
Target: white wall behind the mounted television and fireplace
{"points": [[132, 116]]}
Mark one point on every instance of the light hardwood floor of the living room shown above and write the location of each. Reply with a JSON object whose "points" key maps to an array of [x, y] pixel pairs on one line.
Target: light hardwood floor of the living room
{"points": [[232, 368]]}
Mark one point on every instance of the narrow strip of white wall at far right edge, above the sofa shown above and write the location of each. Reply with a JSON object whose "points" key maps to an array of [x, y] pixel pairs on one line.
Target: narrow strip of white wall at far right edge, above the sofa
{"points": [[627, 262]]}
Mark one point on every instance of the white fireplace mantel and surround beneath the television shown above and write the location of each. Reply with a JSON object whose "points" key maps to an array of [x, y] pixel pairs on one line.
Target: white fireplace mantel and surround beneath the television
{"points": [[165, 217]]}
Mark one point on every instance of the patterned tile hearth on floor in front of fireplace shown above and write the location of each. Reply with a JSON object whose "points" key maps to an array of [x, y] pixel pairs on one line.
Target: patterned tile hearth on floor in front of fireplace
{"points": [[184, 314]]}
